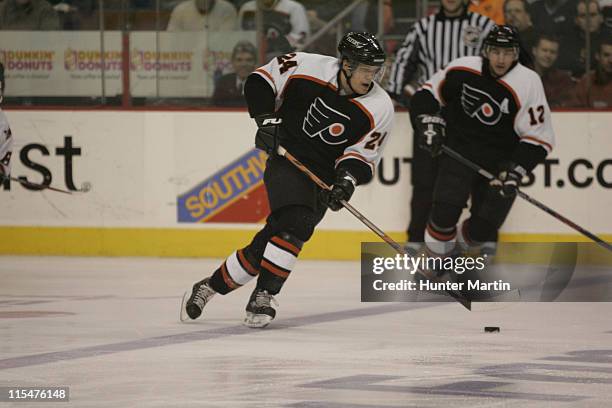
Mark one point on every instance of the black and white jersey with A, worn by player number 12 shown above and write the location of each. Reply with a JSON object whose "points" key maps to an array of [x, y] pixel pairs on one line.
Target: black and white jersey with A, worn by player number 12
{"points": [[490, 120]]}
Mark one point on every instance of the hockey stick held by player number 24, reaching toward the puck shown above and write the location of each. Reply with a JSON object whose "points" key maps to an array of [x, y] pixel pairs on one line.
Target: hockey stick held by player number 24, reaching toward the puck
{"points": [[282, 152]]}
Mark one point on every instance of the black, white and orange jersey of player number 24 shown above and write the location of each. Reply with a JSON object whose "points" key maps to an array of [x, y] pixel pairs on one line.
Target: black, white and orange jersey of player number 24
{"points": [[321, 127]]}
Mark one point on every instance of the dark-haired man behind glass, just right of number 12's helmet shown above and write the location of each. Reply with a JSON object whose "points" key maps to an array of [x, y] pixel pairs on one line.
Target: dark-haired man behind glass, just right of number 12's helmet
{"points": [[558, 84]]}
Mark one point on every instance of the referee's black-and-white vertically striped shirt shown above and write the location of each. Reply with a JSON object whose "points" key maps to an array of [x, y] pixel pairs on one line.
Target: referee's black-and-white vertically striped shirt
{"points": [[432, 43]]}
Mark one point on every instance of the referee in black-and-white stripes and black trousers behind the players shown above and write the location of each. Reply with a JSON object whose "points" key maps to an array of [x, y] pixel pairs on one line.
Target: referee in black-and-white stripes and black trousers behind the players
{"points": [[431, 44]]}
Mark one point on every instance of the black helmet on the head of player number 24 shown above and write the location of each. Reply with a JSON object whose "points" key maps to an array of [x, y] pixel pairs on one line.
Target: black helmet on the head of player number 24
{"points": [[363, 48]]}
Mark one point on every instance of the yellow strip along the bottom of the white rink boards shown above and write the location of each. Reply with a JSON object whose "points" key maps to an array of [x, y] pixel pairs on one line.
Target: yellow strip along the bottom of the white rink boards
{"points": [[155, 242]]}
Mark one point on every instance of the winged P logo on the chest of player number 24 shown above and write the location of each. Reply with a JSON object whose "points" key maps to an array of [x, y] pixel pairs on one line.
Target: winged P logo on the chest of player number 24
{"points": [[325, 122]]}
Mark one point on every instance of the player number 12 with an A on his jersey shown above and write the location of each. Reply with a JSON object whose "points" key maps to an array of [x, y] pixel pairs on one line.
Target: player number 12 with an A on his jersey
{"points": [[493, 111]]}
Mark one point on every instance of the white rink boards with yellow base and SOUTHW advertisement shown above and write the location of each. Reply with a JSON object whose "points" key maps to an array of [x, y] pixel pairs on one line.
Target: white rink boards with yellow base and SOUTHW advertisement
{"points": [[170, 183]]}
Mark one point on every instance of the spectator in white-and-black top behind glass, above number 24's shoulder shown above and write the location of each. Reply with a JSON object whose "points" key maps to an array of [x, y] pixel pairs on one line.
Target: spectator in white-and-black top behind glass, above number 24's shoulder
{"points": [[285, 24]]}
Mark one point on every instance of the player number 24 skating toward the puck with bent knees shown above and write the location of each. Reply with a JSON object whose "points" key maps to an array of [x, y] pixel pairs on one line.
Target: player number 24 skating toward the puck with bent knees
{"points": [[332, 116]]}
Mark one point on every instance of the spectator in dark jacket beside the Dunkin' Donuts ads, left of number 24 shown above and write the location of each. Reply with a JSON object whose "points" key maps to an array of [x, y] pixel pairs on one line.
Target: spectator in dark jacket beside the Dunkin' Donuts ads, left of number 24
{"points": [[229, 89]]}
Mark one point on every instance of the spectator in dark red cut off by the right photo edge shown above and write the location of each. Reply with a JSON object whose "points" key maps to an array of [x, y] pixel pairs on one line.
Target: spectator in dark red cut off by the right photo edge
{"points": [[600, 80]]}
